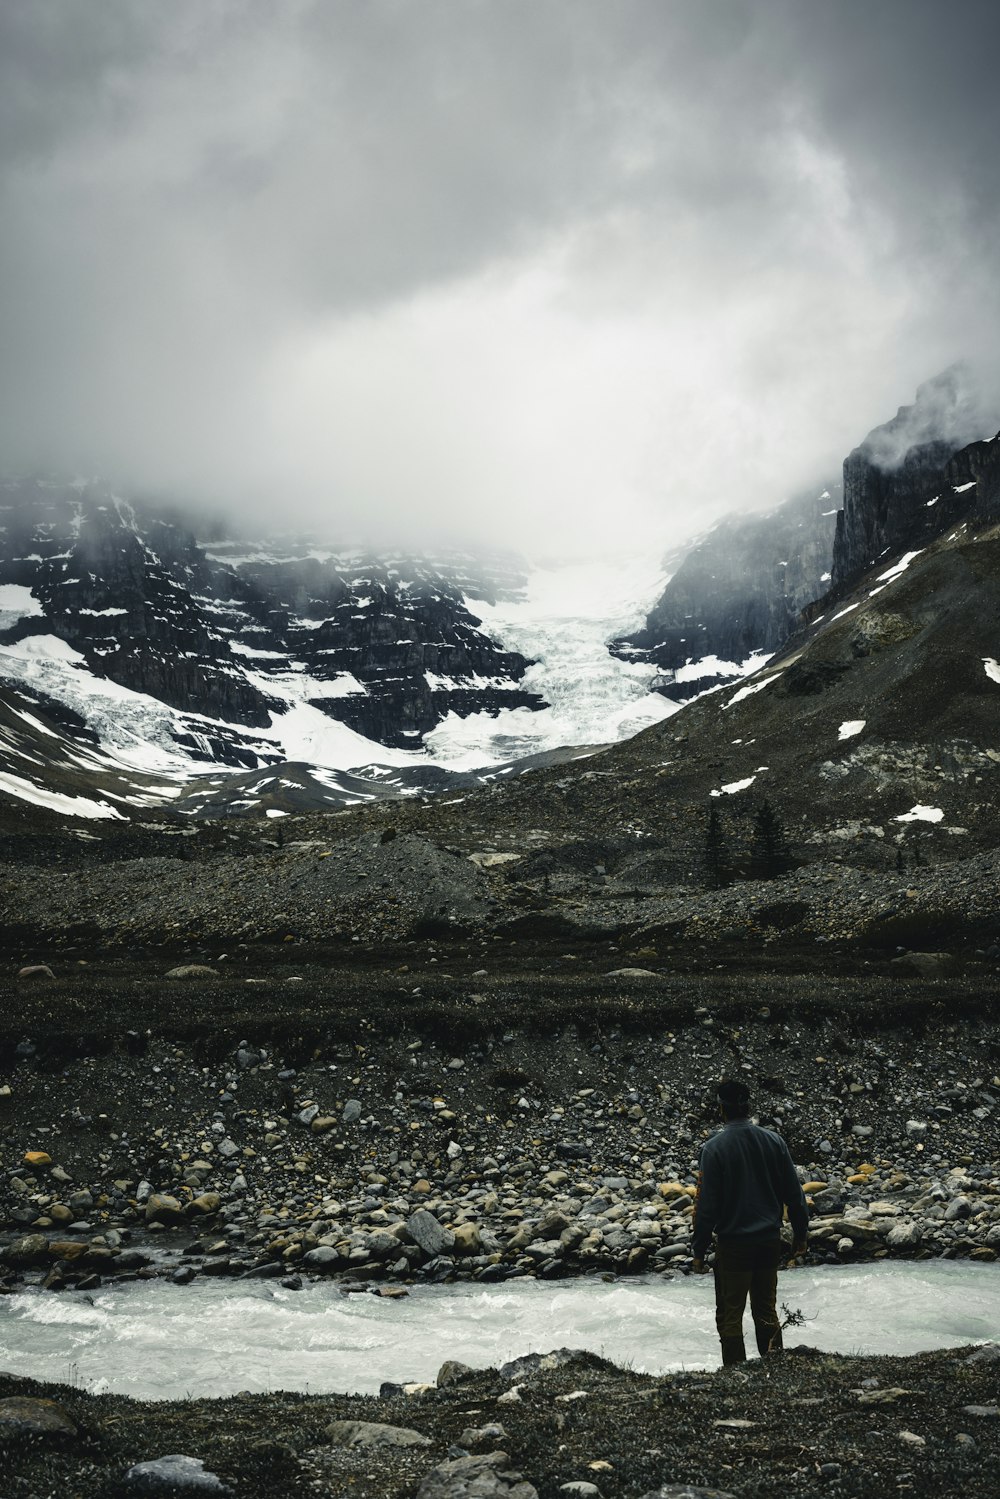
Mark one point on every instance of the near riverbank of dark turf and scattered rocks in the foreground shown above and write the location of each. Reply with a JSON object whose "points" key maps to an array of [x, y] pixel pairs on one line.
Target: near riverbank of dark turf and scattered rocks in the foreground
{"points": [[795, 1425]]}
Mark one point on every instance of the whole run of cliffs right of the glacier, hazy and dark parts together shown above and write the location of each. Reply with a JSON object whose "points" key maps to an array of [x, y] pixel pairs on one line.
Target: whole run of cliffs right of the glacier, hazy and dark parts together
{"points": [[741, 591]]}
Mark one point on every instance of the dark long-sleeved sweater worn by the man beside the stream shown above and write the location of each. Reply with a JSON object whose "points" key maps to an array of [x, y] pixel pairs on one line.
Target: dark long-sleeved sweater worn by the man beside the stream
{"points": [[746, 1180]]}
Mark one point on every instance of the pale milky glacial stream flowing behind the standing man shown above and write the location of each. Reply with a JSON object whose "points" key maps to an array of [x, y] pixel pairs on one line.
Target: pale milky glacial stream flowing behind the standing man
{"points": [[158, 1341]]}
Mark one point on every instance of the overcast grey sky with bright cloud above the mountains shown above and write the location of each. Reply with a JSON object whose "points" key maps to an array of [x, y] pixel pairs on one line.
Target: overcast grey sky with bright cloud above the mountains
{"points": [[557, 274]]}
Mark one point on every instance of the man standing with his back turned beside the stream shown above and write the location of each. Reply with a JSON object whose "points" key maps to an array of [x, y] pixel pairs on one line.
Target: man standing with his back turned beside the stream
{"points": [[746, 1180]]}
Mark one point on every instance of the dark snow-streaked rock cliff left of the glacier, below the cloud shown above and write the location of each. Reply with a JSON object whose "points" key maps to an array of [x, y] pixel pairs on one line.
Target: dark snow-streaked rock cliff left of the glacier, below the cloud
{"points": [[235, 635]]}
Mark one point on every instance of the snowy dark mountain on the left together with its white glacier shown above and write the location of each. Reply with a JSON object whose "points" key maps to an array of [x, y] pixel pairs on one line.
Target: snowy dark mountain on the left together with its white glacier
{"points": [[322, 675]]}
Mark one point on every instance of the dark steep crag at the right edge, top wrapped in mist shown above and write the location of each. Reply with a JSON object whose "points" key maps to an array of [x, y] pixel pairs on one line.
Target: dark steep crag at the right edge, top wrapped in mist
{"points": [[915, 477]]}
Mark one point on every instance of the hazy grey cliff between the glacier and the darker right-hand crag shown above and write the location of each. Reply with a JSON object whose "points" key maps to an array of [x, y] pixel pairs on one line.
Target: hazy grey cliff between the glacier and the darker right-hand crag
{"points": [[738, 593]]}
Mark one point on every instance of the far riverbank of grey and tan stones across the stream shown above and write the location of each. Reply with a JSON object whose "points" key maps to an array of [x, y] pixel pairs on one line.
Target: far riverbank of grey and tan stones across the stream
{"points": [[458, 1115]]}
